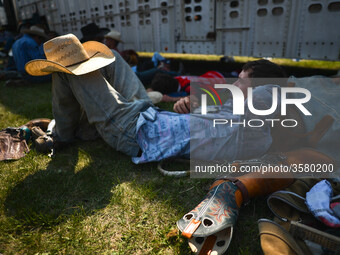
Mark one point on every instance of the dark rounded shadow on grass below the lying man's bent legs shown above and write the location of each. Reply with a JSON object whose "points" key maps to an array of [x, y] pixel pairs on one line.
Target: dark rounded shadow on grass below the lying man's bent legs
{"points": [[76, 179]]}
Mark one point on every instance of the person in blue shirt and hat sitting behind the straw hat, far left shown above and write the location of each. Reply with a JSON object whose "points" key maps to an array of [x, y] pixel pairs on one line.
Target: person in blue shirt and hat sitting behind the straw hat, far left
{"points": [[27, 48]]}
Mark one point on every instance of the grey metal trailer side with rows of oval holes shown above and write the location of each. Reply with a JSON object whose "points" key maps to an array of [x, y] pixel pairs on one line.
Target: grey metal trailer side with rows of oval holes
{"points": [[300, 29]]}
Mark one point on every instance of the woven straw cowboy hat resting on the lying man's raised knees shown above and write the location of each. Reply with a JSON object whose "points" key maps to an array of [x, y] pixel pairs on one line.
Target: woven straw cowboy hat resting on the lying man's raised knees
{"points": [[66, 54]]}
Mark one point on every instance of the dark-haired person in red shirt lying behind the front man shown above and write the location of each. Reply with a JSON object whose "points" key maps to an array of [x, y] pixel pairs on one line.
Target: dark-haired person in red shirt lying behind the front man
{"points": [[179, 86]]}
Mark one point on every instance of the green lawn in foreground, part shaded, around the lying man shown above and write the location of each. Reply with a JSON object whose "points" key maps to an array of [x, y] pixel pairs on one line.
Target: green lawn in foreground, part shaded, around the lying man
{"points": [[90, 199]]}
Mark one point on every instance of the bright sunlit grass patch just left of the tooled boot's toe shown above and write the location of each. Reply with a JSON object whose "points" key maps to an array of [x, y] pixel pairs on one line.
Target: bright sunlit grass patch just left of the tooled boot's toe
{"points": [[135, 222]]}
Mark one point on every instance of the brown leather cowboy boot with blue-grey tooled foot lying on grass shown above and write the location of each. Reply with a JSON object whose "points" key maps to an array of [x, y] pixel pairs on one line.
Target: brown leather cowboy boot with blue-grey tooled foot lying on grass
{"points": [[219, 209]]}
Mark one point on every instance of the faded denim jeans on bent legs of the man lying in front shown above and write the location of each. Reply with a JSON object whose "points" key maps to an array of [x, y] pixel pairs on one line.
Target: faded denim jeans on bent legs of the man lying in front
{"points": [[106, 97]]}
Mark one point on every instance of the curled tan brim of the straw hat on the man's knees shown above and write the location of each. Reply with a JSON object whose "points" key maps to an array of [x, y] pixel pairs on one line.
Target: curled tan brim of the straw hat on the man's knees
{"points": [[100, 56]]}
